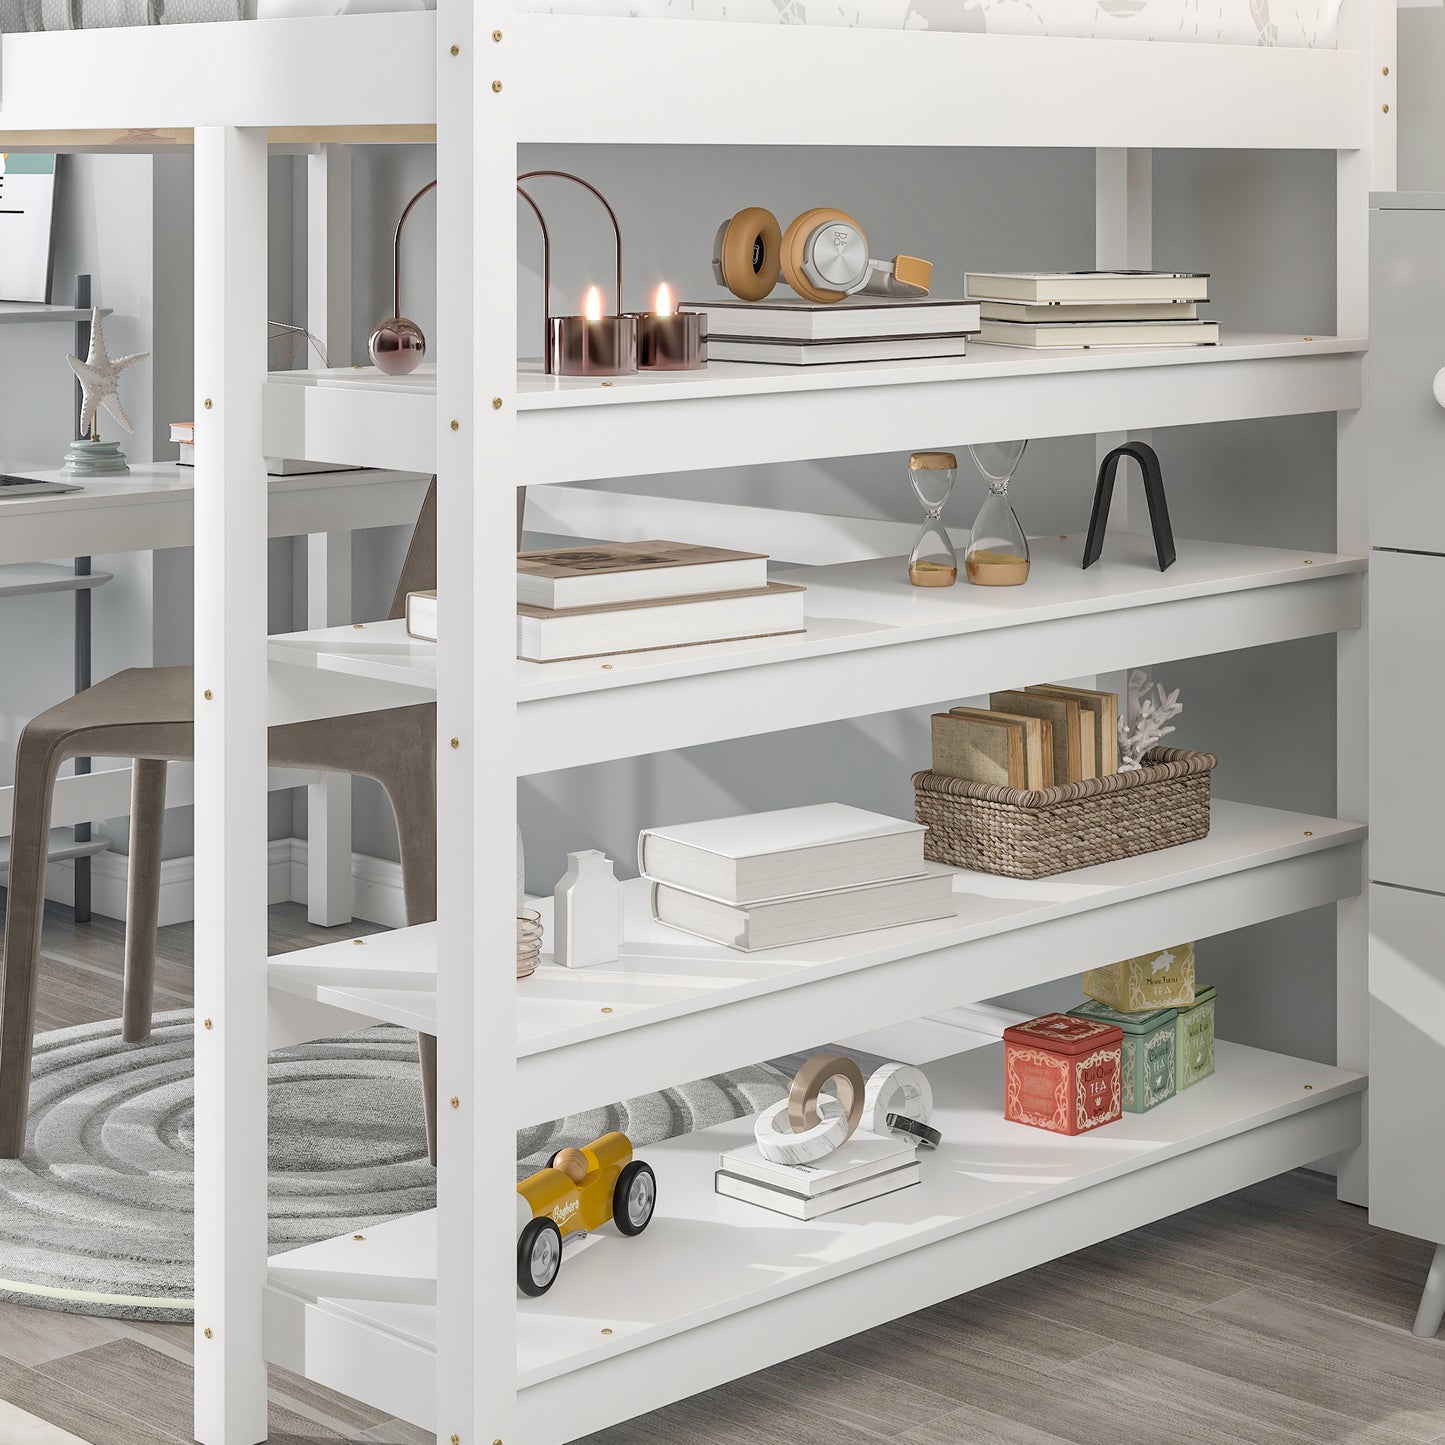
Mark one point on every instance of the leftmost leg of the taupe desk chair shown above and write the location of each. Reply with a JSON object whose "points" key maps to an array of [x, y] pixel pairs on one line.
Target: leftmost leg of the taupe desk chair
{"points": [[35, 768]]}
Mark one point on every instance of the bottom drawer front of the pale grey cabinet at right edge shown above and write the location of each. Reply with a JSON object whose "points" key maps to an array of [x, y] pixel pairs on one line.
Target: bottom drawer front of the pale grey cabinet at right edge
{"points": [[1408, 1035]]}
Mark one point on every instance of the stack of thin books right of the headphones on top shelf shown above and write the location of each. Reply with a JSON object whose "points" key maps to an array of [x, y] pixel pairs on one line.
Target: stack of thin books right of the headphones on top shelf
{"points": [[1045, 310]]}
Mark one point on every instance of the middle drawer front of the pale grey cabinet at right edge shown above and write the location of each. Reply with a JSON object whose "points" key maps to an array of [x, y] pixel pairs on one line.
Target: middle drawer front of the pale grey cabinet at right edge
{"points": [[1407, 691]]}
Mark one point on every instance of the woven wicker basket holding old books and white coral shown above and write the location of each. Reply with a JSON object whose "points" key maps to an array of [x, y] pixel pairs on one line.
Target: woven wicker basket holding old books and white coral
{"points": [[1034, 833]]}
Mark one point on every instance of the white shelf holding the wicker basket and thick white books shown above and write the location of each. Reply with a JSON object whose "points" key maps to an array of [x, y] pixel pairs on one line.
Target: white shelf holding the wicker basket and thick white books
{"points": [[678, 1008]]}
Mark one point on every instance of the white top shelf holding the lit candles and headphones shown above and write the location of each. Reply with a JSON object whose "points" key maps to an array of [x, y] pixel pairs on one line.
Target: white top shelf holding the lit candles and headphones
{"points": [[583, 430]]}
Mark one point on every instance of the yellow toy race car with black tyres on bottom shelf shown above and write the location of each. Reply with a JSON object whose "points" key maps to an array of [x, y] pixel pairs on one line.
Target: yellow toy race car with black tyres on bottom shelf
{"points": [[580, 1191]]}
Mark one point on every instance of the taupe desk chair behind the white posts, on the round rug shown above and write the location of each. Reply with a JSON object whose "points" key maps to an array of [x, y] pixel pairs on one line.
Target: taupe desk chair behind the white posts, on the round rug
{"points": [[148, 715]]}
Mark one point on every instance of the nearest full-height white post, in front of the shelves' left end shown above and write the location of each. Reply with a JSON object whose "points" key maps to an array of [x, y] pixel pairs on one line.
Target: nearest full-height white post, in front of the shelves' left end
{"points": [[476, 710]]}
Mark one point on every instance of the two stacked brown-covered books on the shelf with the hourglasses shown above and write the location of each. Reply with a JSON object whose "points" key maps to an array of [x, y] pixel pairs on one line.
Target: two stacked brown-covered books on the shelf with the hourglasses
{"points": [[615, 598]]}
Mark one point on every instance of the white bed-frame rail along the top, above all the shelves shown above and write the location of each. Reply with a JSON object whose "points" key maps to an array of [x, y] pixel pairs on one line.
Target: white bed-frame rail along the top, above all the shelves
{"points": [[313, 79]]}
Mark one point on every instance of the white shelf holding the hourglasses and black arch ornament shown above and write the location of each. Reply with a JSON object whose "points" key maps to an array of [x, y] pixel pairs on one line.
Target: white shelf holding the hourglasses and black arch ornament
{"points": [[875, 644]]}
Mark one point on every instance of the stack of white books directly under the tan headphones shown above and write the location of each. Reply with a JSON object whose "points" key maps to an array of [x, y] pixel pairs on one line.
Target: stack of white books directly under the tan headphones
{"points": [[791, 332]]}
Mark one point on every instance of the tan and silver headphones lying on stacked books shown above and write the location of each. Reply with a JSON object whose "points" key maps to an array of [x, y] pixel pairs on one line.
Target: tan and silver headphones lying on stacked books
{"points": [[823, 255]]}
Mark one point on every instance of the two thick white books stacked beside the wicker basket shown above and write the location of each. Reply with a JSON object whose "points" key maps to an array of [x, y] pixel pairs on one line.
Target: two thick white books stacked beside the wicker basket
{"points": [[778, 879]]}
